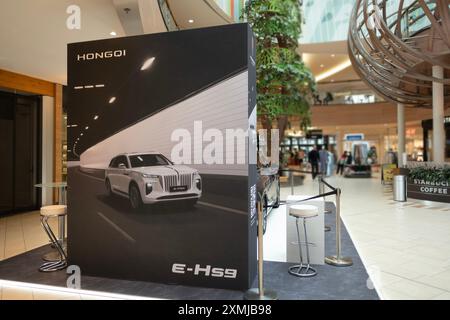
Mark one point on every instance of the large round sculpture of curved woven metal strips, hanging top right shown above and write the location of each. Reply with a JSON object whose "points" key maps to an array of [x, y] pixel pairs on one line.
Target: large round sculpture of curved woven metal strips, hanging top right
{"points": [[393, 45]]}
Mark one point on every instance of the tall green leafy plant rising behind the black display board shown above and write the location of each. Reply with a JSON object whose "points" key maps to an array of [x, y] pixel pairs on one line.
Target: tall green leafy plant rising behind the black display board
{"points": [[285, 85]]}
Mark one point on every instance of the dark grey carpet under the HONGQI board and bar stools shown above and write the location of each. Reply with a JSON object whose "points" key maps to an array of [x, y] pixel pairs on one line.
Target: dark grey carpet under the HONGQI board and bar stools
{"points": [[331, 283]]}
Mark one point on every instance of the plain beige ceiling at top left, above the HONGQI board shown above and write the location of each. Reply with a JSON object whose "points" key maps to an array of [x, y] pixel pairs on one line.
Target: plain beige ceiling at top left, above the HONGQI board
{"points": [[37, 36]]}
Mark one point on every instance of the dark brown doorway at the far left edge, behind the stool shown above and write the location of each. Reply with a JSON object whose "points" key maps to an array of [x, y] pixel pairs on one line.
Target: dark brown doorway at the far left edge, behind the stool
{"points": [[20, 147]]}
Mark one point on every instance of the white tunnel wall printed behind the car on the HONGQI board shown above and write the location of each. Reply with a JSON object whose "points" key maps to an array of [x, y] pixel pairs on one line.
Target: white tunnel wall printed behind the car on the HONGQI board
{"points": [[223, 106]]}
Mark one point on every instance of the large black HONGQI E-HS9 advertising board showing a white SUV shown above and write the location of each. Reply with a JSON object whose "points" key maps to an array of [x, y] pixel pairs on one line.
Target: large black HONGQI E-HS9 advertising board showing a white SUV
{"points": [[162, 157]]}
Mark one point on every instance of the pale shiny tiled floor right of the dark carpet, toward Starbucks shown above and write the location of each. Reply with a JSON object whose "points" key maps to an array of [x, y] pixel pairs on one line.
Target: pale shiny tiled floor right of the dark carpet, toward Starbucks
{"points": [[404, 246]]}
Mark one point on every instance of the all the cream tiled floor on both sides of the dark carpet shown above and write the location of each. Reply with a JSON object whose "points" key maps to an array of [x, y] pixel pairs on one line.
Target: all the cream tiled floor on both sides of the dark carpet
{"points": [[405, 246]]}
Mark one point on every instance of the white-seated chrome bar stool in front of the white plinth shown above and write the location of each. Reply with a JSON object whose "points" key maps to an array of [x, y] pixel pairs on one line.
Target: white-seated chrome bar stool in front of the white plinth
{"points": [[303, 212]]}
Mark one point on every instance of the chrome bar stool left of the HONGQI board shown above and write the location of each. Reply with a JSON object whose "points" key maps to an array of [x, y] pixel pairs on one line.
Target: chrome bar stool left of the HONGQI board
{"points": [[48, 212]]}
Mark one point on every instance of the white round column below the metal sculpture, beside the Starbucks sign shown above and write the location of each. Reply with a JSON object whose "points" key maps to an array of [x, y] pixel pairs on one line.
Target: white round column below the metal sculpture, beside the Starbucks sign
{"points": [[438, 116]]}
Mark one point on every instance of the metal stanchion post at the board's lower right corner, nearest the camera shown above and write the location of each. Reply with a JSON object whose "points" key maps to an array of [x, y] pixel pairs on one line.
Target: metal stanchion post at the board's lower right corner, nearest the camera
{"points": [[260, 293]]}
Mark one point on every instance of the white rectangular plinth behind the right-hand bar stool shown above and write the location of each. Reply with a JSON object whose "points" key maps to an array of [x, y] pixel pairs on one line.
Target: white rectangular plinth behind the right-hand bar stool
{"points": [[315, 228]]}
